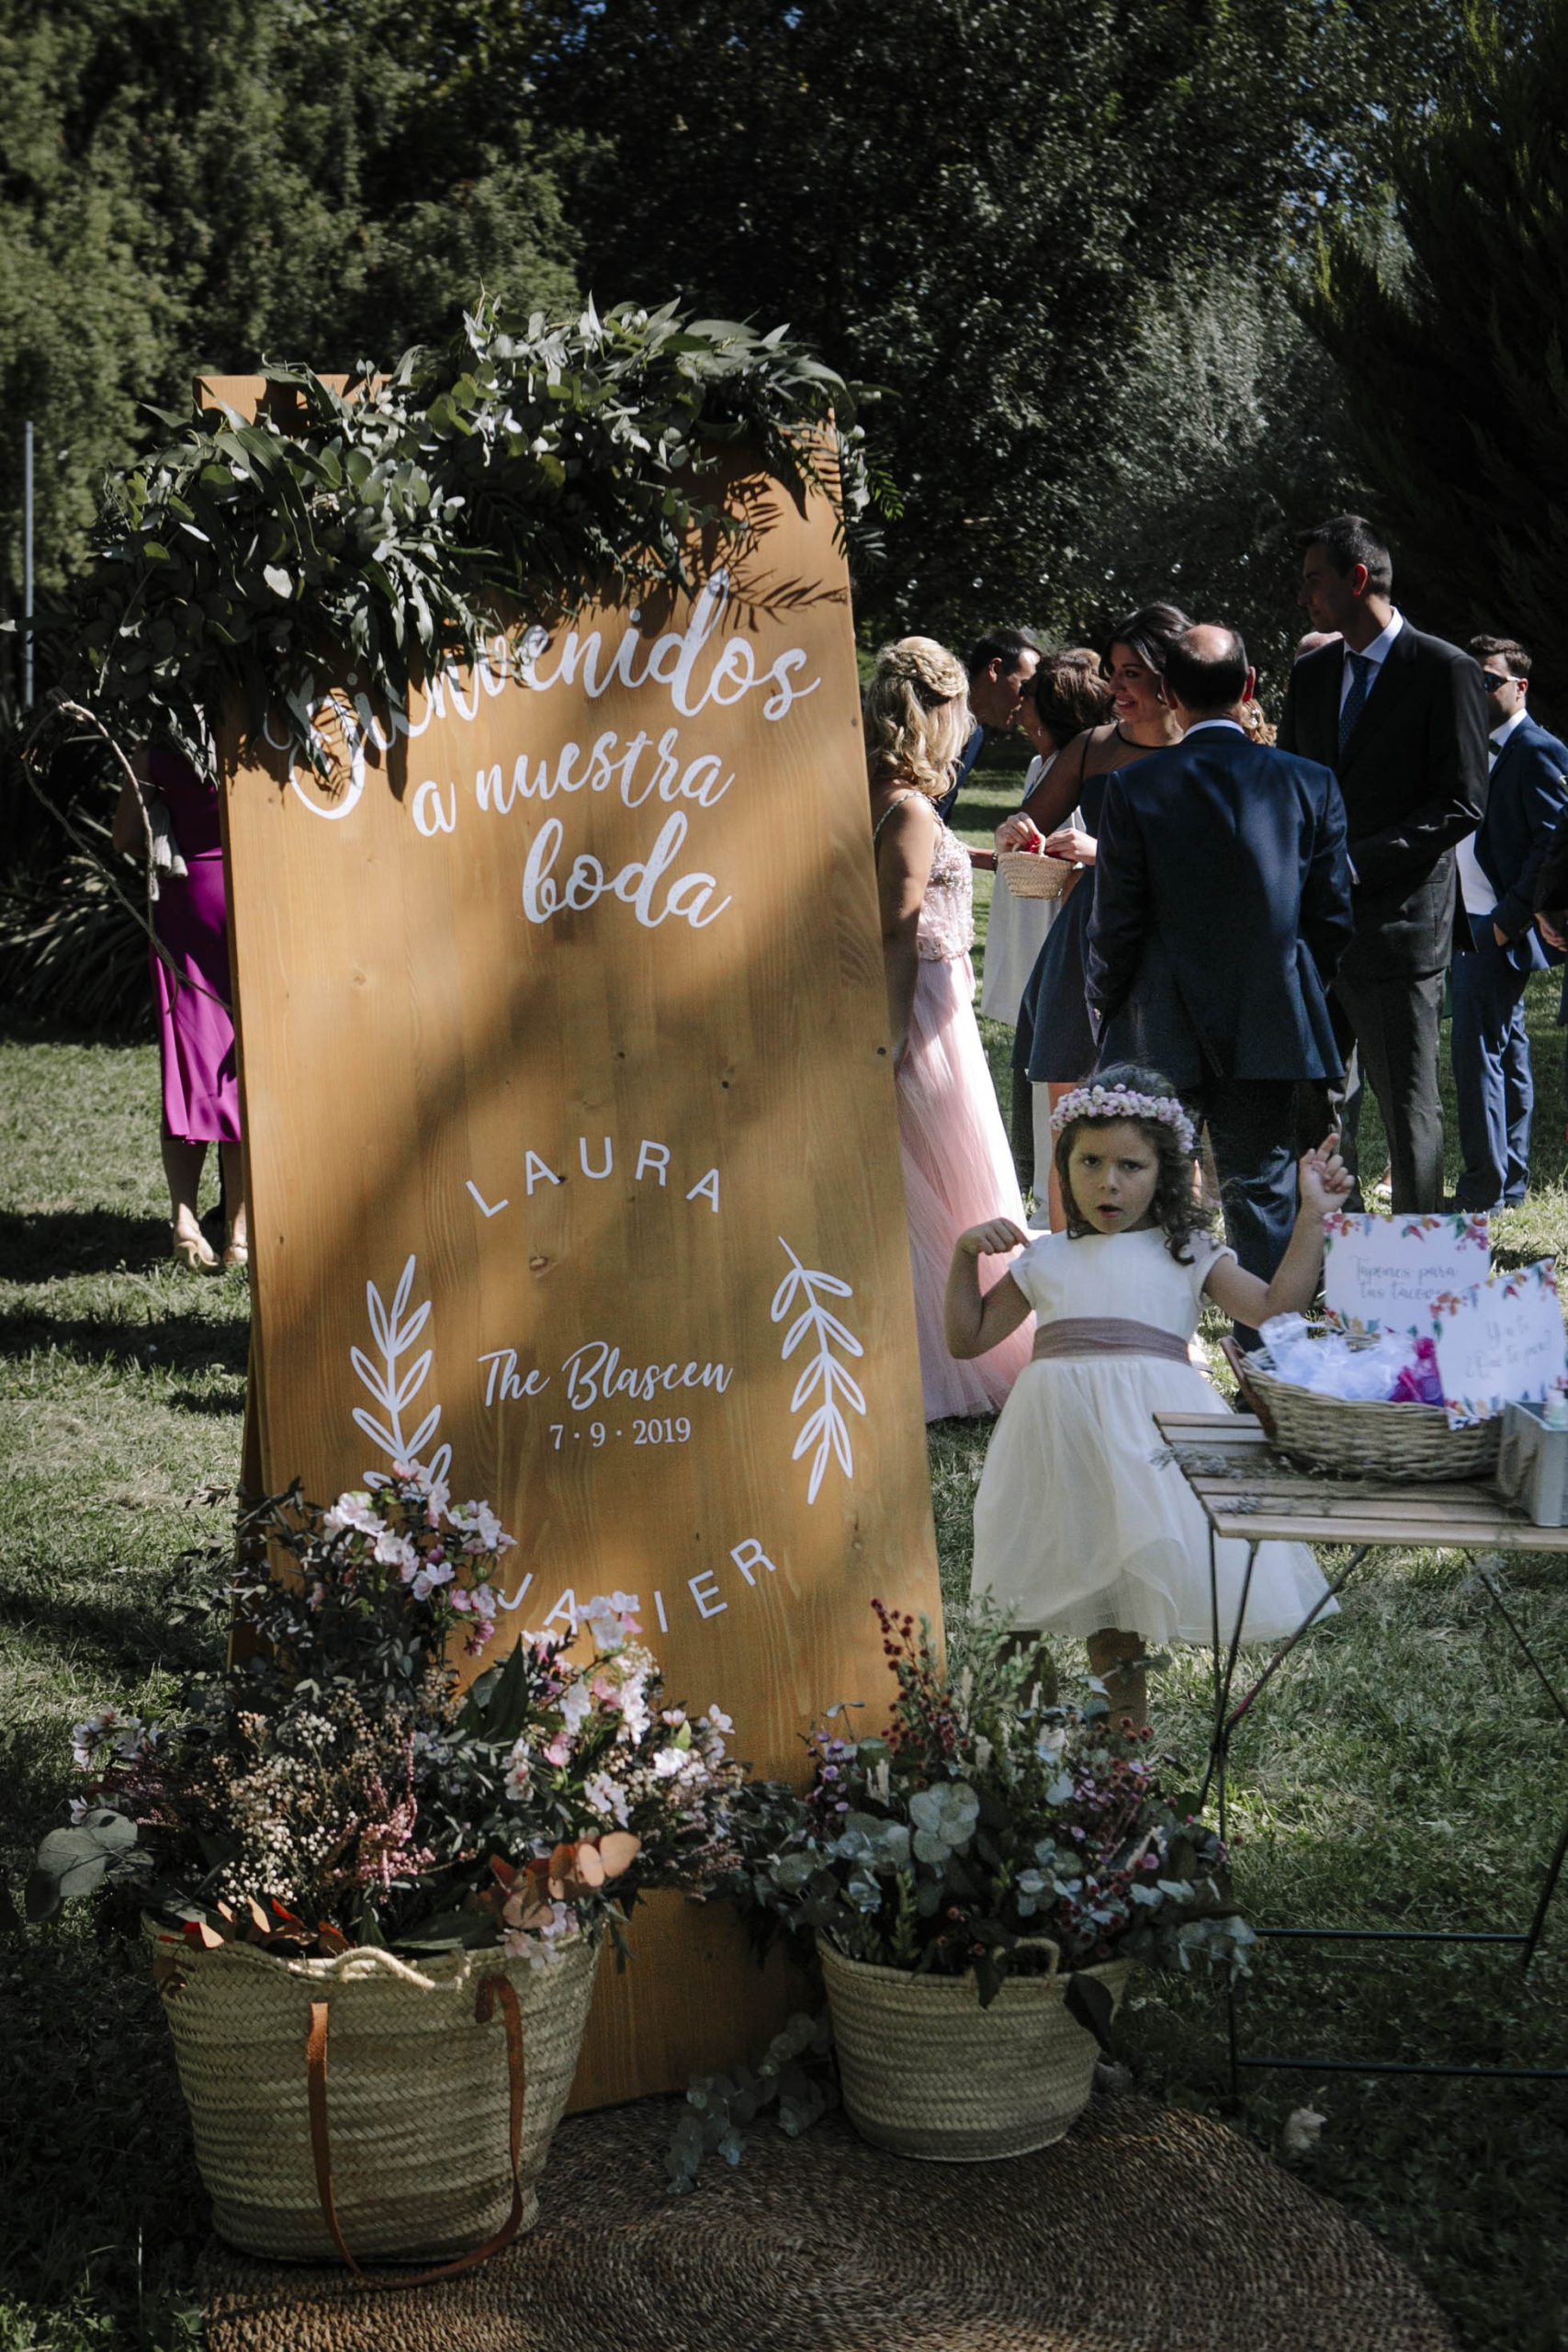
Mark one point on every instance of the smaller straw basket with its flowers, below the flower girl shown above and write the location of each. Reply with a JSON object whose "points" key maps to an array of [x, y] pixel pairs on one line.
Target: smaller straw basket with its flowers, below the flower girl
{"points": [[979, 1883]]}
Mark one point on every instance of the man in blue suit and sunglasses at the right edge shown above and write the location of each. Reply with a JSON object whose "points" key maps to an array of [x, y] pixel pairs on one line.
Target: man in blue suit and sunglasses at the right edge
{"points": [[1501, 878]]}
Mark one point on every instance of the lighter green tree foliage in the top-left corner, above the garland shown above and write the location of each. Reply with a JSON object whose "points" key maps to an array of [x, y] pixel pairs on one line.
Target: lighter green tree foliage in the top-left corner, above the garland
{"points": [[196, 182]]}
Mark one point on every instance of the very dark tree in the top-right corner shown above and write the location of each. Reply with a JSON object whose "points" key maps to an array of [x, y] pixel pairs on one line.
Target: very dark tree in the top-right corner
{"points": [[1452, 338]]}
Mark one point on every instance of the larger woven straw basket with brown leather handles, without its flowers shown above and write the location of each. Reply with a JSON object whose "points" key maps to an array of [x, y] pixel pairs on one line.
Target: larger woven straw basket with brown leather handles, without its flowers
{"points": [[359, 2104]]}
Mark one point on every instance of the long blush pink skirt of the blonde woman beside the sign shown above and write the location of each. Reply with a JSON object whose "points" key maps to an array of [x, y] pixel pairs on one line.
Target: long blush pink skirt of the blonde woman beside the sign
{"points": [[958, 1170]]}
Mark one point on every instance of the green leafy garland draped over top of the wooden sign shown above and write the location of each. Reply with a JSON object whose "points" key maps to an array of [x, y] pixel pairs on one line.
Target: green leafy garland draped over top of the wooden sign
{"points": [[396, 526]]}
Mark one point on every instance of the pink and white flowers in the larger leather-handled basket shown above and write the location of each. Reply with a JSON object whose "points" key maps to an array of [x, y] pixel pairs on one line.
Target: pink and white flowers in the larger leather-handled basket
{"points": [[335, 1786]]}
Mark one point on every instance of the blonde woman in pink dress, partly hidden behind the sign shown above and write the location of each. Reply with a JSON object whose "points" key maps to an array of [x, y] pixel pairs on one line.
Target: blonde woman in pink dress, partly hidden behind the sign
{"points": [[956, 1154]]}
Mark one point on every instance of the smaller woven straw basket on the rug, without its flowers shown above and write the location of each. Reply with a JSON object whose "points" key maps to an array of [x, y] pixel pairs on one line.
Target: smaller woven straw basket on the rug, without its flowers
{"points": [[930, 2073]]}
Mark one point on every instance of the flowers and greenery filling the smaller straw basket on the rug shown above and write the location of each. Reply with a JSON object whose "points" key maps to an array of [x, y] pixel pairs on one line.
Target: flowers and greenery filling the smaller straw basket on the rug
{"points": [[984, 1819]]}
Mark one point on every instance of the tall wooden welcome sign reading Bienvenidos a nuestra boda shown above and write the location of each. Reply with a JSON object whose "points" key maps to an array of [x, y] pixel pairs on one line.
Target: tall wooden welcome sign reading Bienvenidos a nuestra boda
{"points": [[575, 1170]]}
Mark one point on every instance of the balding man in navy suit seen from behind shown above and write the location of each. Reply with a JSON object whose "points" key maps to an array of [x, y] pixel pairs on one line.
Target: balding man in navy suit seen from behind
{"points": [[1221, 914]]}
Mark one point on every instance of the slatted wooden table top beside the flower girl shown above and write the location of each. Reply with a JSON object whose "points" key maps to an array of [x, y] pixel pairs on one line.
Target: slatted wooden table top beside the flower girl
{"points": [[1252, 1495]]}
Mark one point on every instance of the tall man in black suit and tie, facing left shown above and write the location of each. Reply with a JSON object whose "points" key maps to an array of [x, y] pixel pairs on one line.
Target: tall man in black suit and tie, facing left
{"points": [[1402, 723]]}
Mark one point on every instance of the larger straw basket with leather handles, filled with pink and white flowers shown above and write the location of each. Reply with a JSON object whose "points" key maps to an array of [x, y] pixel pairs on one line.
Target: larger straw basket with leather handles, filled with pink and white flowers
{"points": [[347, 1862]]}
